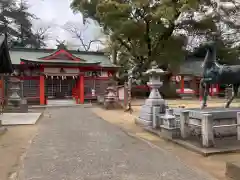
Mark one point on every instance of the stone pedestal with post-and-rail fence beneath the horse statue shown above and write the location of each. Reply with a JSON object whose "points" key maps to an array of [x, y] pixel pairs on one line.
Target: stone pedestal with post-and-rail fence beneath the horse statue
{"points": [[209, 124]]}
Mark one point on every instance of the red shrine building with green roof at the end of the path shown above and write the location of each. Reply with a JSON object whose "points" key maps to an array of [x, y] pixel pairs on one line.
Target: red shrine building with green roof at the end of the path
{"points": [[61, 74]]}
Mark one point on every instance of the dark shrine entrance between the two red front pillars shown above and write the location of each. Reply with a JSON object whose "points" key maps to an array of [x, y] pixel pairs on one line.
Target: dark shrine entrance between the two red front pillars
{"points": [[59, 87]]}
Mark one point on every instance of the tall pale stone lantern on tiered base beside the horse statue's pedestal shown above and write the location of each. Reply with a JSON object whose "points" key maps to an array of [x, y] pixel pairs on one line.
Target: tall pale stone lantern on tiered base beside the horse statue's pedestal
{"points": [[155, 99]]}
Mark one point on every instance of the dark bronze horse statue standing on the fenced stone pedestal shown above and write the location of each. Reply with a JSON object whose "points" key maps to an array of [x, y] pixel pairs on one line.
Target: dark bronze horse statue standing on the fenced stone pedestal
{"points": [[215, 73]]}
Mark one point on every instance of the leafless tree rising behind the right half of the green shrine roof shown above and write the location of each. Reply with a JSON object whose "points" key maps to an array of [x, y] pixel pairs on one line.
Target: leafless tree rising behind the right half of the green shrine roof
{"points": [[78, 33]]}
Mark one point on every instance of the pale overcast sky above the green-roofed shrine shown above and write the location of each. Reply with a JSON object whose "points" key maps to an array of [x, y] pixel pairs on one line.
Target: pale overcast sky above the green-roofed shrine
{"points": [[55, 13]]}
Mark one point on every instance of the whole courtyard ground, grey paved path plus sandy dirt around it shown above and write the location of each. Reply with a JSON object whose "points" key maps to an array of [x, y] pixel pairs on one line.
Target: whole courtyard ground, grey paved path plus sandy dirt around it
{"points": [[92, 143]]}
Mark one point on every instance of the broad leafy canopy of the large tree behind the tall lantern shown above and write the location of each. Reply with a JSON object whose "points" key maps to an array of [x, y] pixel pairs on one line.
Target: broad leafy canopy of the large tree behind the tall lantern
{"points": [[148, 31]]}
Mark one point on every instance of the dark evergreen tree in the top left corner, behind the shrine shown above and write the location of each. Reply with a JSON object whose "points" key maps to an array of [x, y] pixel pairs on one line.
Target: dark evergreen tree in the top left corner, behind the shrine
{"points": [[16, 21]]}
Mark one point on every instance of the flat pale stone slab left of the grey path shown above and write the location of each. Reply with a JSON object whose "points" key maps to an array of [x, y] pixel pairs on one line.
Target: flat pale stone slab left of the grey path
{"points": [[19, 118]]}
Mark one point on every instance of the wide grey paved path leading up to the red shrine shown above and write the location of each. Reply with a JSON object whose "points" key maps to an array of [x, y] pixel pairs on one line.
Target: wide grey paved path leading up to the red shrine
{"points": [[74, 144]]}
